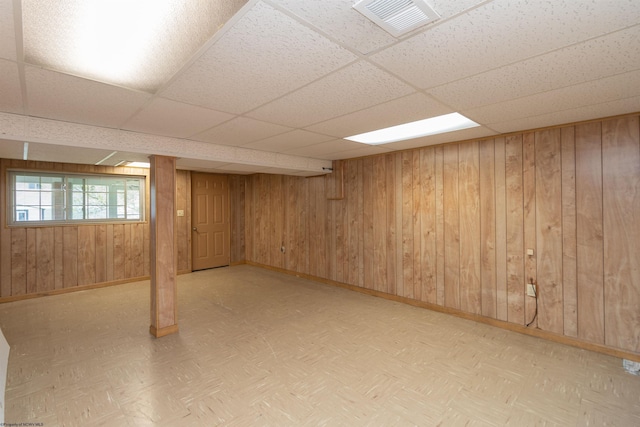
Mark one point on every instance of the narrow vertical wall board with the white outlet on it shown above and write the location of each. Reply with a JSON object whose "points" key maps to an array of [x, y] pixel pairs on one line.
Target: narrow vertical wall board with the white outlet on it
{"points": [[529, 226]]}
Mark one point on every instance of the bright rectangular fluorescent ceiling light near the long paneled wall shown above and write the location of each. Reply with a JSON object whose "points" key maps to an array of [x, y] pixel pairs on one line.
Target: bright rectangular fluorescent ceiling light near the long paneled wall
{"points": [[432, 126]]}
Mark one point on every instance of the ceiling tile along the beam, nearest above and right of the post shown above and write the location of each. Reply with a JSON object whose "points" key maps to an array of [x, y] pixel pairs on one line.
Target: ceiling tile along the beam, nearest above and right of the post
{"points": [[170, 118]]}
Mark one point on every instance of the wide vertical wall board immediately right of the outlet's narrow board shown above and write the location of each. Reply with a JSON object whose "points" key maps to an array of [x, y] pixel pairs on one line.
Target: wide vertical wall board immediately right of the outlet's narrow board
{"points": [[549, 226]]}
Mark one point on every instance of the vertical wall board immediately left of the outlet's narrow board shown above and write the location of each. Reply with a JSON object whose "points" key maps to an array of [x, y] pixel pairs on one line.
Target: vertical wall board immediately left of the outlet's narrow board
{"points": [[515, 238]]}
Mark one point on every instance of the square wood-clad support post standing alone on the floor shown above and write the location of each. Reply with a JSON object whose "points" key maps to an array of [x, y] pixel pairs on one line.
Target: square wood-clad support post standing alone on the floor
{"points": [[163, 252]]}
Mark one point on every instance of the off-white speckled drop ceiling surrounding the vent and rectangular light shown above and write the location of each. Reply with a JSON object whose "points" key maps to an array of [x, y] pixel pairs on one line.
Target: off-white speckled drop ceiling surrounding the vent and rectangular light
{"points": [[277, 84]]}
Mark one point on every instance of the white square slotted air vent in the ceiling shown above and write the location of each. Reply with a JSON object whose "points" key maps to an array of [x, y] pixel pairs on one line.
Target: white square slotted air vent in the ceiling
{"points": [[397, 17]]}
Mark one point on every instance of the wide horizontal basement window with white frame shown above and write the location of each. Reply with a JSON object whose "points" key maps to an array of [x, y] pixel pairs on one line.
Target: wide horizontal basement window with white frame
{"points": [[37, 198]]}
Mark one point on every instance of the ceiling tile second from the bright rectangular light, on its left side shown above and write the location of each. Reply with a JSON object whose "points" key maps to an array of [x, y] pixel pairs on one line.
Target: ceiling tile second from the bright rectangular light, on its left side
{"points": [[360, 85]]}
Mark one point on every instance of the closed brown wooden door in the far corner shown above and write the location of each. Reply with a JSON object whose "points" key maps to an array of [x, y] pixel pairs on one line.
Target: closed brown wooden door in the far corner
{"points": [[210, 220]]}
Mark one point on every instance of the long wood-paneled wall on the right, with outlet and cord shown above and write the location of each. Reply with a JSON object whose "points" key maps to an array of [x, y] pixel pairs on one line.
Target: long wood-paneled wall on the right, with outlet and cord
{"points": [[450, 225]]}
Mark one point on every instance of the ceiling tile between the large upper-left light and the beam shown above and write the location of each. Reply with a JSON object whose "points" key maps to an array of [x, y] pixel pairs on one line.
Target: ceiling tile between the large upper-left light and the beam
{"points": [[68, 98]]}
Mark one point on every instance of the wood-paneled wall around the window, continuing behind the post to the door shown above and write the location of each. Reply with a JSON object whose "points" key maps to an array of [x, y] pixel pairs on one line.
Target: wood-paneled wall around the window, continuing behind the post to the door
{"points": [[38, 260]]}
